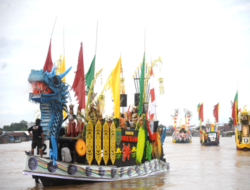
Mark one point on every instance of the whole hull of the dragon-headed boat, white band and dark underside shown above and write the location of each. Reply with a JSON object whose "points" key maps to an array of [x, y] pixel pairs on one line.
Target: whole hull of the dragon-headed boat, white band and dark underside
{"points": [[66, 173]]}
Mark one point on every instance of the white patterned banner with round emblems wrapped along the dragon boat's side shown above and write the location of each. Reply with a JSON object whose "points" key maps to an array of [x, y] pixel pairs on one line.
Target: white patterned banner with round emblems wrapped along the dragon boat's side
{"points": [[68, 171]]}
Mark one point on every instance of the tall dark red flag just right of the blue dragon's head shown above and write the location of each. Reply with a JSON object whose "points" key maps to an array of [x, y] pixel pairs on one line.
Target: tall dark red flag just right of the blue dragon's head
{"points": [[79, 81]]}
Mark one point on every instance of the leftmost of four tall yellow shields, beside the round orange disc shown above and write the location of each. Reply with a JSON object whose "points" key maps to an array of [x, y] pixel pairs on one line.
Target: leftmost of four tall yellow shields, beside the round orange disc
{"points": [[89, 141]]}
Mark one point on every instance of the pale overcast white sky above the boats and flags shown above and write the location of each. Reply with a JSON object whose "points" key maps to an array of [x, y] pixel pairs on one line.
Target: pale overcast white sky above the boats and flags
{"points": [[204, 46]]}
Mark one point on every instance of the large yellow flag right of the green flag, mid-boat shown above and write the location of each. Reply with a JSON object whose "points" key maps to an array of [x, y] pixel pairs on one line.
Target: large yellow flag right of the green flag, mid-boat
{"points": [[114, 84]]}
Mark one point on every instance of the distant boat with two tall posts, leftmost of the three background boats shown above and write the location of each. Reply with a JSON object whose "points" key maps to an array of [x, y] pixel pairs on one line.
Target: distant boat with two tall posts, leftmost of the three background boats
{"points": [[182, 133]]}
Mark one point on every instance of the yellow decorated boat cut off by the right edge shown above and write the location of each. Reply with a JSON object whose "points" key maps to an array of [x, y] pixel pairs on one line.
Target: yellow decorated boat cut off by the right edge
{"points": [[242, 130]]}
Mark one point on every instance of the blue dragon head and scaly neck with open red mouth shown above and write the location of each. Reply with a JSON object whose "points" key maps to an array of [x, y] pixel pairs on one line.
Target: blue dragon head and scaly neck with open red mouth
{"points": [[51, 92]]}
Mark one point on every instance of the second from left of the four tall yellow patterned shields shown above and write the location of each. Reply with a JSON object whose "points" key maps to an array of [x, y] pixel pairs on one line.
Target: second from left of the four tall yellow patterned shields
{"points": [[98, 142]]}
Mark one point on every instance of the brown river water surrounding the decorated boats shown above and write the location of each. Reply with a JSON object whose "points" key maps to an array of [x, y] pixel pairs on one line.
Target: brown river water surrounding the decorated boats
{"points": [[192, 166]]}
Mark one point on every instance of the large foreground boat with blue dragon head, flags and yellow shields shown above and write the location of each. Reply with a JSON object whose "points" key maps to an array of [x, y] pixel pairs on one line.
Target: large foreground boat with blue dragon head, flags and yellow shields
{"points": [[102, 149]]}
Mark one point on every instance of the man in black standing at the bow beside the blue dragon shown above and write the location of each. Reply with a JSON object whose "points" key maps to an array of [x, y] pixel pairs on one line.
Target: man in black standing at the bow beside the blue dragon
{"points": [[38, 138]]}
